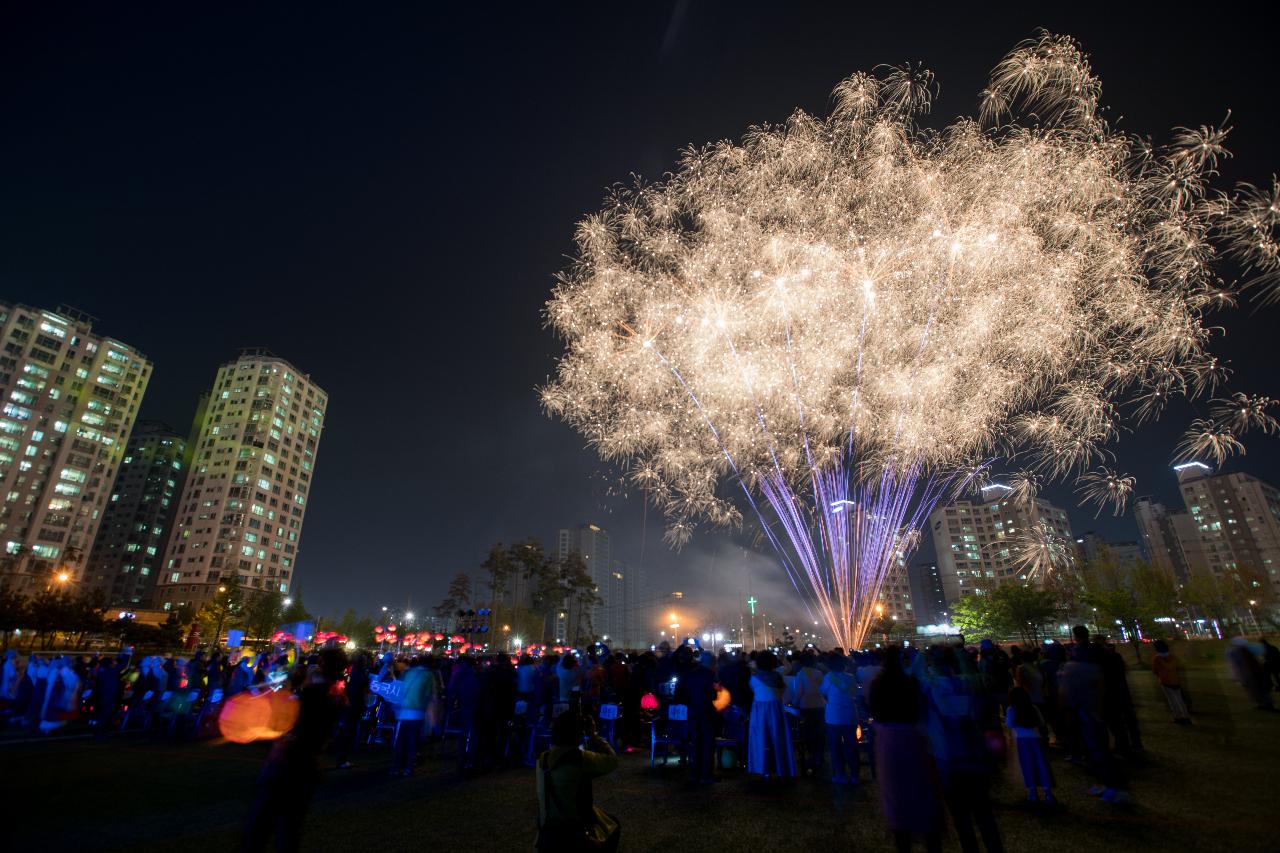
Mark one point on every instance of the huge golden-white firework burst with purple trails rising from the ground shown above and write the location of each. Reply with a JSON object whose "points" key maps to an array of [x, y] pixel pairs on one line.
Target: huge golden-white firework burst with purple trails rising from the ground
{"points": [[852, 317]]}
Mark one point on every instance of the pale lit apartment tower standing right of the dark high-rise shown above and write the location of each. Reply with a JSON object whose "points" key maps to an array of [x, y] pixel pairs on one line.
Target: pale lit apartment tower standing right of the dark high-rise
{"points": [[252, 475]]}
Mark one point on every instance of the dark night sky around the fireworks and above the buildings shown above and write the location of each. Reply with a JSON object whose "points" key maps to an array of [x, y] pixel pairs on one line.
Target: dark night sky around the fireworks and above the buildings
{"points": [[383, 199]]}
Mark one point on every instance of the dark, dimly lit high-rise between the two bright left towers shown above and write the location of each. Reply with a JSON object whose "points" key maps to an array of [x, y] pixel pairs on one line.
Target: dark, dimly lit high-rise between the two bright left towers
{"points": [[129, 550]]}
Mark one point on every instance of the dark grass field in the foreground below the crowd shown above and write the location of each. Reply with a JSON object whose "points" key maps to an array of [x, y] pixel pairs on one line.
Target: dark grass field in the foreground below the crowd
{"points": [[1214, 787]]}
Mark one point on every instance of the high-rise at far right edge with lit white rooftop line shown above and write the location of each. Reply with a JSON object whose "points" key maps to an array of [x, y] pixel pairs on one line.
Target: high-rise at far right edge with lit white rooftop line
{"points": [[1236, 519]]}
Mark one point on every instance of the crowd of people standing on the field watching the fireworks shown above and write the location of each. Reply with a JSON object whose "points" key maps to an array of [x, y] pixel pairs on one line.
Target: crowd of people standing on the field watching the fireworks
{"points": [[932, 726]]}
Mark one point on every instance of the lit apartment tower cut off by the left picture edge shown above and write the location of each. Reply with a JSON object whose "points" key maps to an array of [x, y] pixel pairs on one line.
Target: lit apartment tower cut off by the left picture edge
{"points": [[71, 399]]}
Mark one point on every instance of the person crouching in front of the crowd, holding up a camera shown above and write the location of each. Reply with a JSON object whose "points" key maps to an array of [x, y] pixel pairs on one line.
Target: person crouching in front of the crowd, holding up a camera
{"points": [[569, 820]]}
